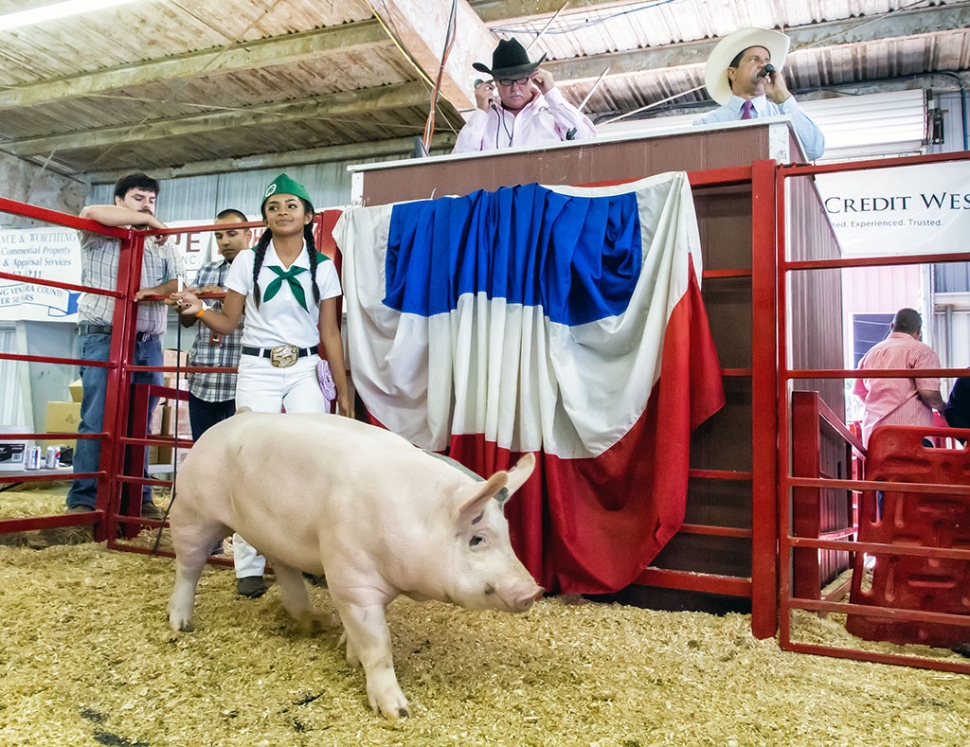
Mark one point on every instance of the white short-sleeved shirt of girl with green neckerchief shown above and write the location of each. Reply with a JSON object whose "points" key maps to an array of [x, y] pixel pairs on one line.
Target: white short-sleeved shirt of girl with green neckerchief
{"points": [[281, 320]]}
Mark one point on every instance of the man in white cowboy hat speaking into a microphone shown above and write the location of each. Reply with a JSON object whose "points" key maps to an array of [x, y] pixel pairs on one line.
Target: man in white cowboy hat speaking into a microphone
{"points": [[739, 78]]}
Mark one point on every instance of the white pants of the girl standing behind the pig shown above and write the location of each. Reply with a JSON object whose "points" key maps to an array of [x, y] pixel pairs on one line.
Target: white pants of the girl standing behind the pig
{"points": [[264, 388]]}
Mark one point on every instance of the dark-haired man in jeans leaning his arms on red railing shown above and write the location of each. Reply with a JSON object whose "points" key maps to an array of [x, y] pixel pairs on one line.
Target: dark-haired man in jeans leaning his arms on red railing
{"points": [[134, 206]]}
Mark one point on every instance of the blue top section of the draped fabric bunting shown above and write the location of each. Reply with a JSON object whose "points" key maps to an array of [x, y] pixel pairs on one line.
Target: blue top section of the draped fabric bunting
{"points": [[578, 258]]}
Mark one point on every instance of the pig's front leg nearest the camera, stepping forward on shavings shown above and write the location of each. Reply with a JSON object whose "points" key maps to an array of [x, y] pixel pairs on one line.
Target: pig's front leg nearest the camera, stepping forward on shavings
{"points": [[369, 645]]}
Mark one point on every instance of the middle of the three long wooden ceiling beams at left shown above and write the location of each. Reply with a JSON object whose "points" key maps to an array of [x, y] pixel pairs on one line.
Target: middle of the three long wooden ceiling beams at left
{"points": [[346, 104]]}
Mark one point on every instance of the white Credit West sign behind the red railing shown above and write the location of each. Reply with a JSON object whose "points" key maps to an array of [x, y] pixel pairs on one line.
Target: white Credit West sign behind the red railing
{"points": [[903, 210]]}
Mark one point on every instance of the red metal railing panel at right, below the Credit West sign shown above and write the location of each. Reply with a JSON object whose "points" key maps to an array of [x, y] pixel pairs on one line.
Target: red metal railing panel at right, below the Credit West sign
{"points": [[798, 450]]}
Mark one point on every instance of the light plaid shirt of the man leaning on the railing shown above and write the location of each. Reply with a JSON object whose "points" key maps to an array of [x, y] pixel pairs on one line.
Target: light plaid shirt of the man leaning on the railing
{"points": [[99, 269]]}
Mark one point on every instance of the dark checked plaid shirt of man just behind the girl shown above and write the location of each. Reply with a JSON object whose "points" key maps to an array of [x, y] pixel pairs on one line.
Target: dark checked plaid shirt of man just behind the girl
{"points": [[214, 387]]}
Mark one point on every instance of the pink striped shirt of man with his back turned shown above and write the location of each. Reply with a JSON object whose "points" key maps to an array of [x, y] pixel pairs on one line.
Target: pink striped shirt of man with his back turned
{"points": [[896, 401]]}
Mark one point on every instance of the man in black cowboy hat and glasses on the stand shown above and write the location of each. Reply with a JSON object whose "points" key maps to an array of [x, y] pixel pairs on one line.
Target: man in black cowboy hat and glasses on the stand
{"points": [[519, 106]]}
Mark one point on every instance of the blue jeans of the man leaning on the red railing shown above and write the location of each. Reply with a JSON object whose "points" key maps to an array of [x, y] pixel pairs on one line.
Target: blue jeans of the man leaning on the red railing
{"points": [[87, 453]]}
